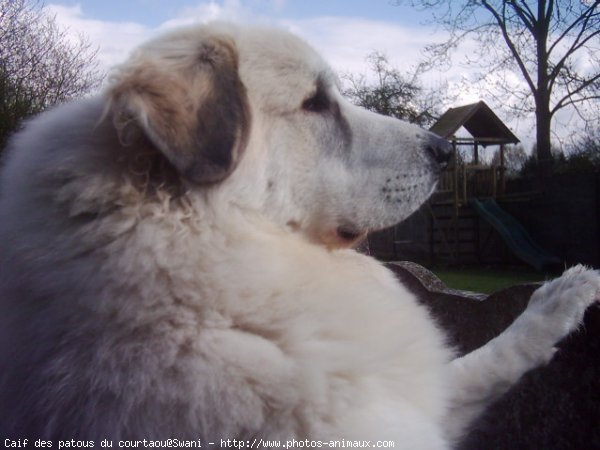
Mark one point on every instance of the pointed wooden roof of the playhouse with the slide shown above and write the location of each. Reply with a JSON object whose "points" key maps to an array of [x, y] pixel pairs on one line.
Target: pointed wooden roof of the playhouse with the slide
{"points": [[479, 120]]}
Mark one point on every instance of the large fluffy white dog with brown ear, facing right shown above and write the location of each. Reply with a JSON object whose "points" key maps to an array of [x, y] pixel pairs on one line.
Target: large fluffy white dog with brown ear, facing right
{"points": [[173, 263]]}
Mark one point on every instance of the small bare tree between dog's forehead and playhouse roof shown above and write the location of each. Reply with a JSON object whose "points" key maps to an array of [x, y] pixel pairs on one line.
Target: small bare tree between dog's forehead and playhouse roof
{"points": [[391, 93]]}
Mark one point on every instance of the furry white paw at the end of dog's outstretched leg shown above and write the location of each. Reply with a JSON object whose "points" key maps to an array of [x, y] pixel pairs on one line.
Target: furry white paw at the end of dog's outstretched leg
{"points": [[559, 305]]}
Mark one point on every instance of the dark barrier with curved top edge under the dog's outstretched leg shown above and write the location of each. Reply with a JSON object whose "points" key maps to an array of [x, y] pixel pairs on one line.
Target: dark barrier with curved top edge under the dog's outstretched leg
{"points": [[552, 407]]}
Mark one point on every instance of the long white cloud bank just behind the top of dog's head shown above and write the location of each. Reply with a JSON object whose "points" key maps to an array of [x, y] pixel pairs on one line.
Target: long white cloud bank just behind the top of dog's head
{"points": [[344, 42]]}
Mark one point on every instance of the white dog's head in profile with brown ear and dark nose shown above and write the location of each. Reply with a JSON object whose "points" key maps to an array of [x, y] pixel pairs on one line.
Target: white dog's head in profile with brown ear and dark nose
{"points": [[257, 114]]}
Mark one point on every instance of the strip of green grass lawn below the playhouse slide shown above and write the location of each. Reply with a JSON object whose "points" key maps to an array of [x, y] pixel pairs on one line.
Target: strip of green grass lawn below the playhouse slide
{"points": [[486, 280]]}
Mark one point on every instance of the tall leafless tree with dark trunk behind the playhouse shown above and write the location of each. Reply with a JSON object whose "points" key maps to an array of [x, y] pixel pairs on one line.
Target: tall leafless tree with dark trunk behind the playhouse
{"points": [[553, 45]]}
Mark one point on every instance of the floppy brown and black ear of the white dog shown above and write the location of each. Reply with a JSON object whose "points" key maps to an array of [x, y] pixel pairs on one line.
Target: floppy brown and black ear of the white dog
{"points": [[191, 105]]}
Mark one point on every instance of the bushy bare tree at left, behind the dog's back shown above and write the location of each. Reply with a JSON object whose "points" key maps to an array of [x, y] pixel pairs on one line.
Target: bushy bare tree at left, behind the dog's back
{"points": [[40, 64]]}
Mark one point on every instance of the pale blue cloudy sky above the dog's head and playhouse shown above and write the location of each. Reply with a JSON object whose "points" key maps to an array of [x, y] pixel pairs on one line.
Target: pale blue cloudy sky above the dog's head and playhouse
{"points": [[344, 31]]}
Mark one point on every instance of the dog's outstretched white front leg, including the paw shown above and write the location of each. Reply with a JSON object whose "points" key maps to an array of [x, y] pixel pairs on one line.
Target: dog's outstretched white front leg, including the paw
{"points": [[554, 311]]}
